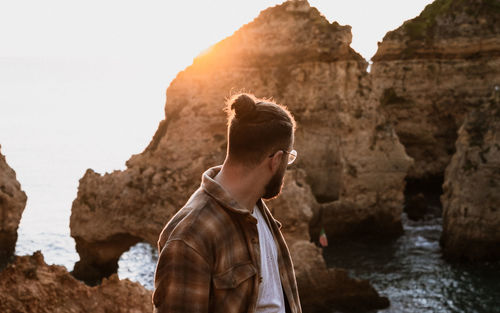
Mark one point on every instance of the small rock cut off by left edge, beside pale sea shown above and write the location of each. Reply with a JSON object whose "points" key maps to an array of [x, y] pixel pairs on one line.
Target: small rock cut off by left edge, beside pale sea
{"points": [[12, 203]]}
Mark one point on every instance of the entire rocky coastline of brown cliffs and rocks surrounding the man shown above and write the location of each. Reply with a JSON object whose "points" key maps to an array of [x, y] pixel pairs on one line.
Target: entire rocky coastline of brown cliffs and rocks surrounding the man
{"points": [[425, 112]]}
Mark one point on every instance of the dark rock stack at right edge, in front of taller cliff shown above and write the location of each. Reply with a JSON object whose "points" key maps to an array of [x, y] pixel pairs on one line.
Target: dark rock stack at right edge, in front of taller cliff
{"points": [[471, 199]]}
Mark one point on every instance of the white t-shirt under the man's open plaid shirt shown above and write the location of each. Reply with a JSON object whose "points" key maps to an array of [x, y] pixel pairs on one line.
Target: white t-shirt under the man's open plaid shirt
{"points": [[270, 299]]}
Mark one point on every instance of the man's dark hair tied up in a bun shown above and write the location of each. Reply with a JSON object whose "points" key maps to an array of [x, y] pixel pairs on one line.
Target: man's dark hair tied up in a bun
{"points": [[256, 127]]}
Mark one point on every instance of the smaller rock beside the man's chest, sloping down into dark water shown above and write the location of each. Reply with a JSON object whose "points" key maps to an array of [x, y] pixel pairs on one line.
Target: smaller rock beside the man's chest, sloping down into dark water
{"points": [[320, 288]]}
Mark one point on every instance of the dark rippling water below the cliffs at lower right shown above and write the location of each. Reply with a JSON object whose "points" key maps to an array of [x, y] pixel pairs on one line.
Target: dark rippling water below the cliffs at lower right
{"points": [[411, 272]]}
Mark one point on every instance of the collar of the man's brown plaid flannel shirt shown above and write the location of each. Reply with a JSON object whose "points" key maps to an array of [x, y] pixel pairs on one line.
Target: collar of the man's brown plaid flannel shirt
{"points": [[221, 195]]}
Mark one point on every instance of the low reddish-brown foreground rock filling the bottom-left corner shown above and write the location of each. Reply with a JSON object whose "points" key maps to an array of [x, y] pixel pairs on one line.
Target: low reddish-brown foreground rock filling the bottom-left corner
{"points": [[30, 285]]}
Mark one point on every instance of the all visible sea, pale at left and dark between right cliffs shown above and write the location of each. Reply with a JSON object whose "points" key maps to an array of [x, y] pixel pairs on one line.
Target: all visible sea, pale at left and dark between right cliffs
{"points": [[59, 117]]}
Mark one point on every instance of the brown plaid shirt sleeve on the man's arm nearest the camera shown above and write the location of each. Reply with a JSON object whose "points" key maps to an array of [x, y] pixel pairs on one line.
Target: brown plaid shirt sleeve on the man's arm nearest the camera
{"points": [[182, 280]]}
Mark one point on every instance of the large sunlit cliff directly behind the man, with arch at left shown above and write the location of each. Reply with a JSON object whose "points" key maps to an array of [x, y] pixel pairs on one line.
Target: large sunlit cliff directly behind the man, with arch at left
{"points": [[349, 152]]}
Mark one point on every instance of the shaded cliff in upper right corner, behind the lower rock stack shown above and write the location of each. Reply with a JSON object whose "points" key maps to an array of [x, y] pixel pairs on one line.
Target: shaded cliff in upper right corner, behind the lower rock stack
{"points": [[431, 71]]}
